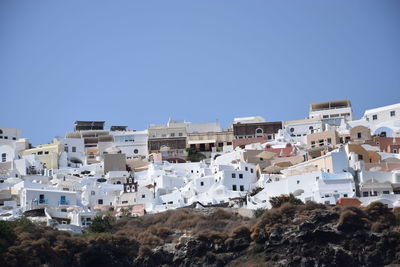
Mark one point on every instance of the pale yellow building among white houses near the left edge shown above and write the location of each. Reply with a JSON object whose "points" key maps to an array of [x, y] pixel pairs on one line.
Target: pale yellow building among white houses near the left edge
{"points": [[48, 154]]}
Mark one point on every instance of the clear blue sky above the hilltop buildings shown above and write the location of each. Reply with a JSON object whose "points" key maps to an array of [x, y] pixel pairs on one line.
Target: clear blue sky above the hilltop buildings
{"points": [[140, 62]]}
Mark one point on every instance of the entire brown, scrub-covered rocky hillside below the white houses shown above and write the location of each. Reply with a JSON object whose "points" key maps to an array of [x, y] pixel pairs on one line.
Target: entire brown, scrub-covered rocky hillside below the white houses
{"points": [[291, 234]]}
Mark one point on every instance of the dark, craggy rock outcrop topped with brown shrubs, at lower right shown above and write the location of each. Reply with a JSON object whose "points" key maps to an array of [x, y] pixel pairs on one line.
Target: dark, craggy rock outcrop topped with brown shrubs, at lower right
{"points": [[312, 235]]}
